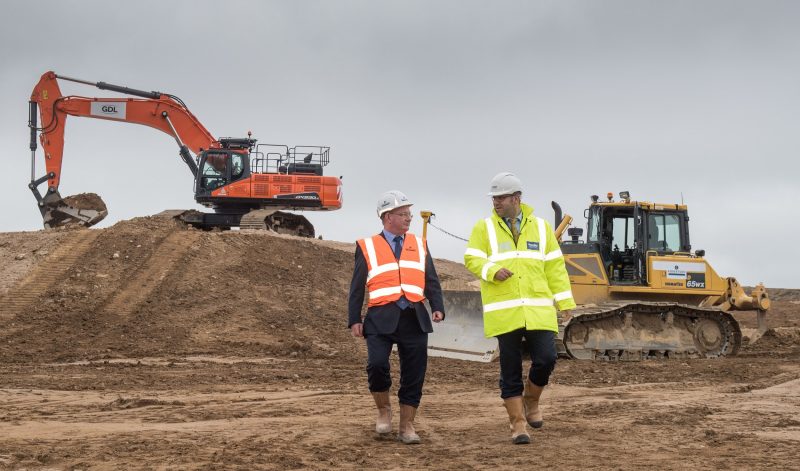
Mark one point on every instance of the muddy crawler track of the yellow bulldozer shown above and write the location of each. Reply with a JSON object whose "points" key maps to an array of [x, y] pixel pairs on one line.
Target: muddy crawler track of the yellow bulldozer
{"points": [[638, 330]]}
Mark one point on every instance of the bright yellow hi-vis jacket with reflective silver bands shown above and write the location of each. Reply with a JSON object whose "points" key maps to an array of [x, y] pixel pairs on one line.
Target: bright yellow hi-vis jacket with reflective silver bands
{"points": [[540, 283]]}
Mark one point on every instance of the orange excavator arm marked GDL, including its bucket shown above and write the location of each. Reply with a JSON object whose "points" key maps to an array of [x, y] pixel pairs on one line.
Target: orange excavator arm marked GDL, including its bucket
{"points": [[161, 111]]}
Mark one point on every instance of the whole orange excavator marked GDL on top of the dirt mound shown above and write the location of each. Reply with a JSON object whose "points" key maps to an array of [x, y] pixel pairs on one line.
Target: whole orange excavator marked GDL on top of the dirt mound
{"points": [[245, 183]]}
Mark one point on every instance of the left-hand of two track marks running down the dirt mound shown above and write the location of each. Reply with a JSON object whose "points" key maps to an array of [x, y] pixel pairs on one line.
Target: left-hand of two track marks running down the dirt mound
{"points": [[46, 275]]}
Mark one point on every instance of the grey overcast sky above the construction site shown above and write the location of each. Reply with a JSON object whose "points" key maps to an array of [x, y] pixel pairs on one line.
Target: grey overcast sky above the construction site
{"points": [[672, 100]]}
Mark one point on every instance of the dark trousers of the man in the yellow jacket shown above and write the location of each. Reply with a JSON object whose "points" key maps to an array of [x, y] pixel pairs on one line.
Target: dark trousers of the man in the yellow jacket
{"points": [[542, 349]]}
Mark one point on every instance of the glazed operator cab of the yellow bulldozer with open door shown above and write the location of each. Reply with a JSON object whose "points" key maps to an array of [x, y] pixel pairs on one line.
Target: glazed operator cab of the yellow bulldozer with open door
{"points": [[627, 233]]}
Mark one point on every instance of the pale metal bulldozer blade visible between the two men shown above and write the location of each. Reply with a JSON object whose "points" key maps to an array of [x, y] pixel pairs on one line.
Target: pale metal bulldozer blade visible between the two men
{"points": [[461, 336]]}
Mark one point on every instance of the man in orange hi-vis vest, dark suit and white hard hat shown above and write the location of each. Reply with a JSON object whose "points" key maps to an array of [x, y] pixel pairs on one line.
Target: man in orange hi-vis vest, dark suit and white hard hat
{"points": [[395, 271]]}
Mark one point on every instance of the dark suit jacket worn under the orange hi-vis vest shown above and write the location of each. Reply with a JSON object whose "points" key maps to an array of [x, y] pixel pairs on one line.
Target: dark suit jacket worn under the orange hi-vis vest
{"points": [[383, 319]]}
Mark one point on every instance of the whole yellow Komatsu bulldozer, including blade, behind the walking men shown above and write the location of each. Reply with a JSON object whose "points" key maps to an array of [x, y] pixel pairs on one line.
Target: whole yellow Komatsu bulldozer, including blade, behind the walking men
{"points": [[641, 292]]}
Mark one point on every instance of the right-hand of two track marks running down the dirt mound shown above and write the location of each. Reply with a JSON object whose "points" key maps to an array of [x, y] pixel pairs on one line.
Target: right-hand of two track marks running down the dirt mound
{"points": [[160, 263]]}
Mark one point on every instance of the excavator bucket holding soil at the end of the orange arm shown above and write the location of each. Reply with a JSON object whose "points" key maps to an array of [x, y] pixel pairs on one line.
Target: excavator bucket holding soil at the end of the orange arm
{"points": [[85, 209]]}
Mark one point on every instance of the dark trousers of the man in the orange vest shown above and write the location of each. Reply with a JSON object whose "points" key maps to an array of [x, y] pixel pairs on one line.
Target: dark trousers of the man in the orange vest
{"points": [[412, 347]]}
